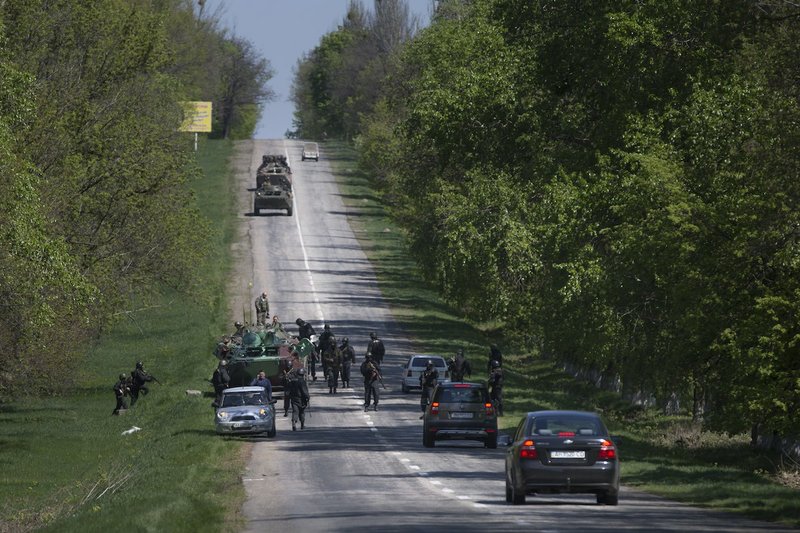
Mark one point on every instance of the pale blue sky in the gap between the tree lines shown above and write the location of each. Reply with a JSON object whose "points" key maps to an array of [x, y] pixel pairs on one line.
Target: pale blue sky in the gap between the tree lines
{"points": [[282, 31]]}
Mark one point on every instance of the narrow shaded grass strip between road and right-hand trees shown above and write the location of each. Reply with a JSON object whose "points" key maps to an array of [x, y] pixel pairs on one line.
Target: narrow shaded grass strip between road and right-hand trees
{"points": [[662, 455]]}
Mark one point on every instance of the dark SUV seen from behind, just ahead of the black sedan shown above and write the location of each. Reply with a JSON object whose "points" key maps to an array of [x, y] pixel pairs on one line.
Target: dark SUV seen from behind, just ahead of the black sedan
{"points": [[460, 411]]}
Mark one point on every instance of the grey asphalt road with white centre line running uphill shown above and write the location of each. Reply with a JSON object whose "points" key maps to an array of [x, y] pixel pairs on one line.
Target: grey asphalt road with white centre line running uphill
{"points": [[353, 471]]}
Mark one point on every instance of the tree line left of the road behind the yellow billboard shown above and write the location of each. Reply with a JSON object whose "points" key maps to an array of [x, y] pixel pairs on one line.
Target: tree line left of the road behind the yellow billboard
{"points": [[97, 214]]}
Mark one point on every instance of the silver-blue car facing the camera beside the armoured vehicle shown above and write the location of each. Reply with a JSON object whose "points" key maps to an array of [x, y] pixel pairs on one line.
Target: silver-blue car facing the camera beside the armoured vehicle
{"points": [[245, 411]]}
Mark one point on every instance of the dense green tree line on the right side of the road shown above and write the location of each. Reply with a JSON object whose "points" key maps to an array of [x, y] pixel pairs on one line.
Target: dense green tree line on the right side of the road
{"points": [[617, 183]]}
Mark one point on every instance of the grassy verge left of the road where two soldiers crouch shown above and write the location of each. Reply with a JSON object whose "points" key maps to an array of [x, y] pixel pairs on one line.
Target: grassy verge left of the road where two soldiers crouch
{"points": [[67, 466]]}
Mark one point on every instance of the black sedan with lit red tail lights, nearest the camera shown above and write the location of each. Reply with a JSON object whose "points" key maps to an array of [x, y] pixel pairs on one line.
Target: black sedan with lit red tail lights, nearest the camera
{"points": [[562, 452]]}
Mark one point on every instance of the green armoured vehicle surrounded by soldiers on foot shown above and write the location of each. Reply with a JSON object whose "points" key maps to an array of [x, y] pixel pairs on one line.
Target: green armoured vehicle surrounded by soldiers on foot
{"points": [[267, 348]]}
